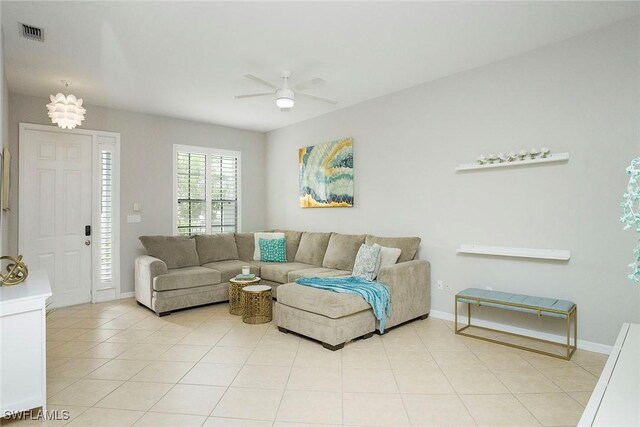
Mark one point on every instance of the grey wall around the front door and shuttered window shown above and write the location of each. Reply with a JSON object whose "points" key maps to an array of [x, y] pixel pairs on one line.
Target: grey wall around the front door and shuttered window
{"points": [[146, 168]]}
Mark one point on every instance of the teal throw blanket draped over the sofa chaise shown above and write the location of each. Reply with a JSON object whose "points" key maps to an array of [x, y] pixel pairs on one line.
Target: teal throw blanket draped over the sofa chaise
{"points": [[376, 294]]}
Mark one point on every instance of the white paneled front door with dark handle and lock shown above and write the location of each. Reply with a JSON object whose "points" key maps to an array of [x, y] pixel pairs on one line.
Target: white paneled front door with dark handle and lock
{"points": [[55, 207]]}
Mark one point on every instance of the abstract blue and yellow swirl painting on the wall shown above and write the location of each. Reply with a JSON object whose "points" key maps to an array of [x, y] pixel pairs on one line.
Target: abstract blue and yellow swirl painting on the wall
{"points": [[326, 174]]}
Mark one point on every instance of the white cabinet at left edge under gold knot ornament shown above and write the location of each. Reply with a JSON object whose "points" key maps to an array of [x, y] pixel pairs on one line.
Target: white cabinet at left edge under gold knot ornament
{"points": [[23, 375]]}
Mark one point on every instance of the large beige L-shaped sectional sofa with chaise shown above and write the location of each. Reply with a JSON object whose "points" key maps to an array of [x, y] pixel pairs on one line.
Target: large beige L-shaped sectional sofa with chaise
{"points": [[181, 272]]}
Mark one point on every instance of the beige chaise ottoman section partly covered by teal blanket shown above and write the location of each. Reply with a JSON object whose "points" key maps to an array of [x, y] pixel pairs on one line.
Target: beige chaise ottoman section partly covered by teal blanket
{"points": [[330, 317]]}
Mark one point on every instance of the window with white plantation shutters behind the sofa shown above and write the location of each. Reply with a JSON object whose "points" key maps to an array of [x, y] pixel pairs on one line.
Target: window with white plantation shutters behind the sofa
{"points": [[206, 184]]}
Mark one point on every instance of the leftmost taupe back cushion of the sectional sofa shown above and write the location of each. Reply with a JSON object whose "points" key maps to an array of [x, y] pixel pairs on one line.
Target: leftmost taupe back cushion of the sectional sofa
{"points": [[175, 251]]}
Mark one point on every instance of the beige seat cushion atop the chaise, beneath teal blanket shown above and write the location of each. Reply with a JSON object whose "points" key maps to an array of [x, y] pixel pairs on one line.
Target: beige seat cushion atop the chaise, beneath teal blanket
{"points": [[326, 303]]}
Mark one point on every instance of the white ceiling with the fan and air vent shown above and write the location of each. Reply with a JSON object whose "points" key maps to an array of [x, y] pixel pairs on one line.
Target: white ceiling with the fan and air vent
{"points": [[186, 59]]}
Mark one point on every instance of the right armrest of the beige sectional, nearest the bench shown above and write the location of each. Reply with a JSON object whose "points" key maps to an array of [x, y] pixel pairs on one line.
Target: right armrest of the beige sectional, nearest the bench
{"points": [[410, 285]]}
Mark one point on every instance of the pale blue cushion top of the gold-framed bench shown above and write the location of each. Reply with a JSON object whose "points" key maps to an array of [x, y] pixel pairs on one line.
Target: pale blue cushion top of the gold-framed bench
{"points": [[538, 302]]}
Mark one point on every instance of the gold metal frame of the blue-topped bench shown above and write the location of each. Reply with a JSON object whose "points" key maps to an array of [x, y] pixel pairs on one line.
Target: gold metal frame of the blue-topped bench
{"points": [[570, 315]]}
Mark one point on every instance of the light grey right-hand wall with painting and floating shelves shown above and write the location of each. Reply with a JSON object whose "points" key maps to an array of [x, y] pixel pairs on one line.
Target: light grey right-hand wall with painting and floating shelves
{"points": [[580, 96]]}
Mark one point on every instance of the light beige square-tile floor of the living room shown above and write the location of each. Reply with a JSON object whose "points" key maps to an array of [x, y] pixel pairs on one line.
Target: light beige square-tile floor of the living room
{"points": [[118, 364]]}
